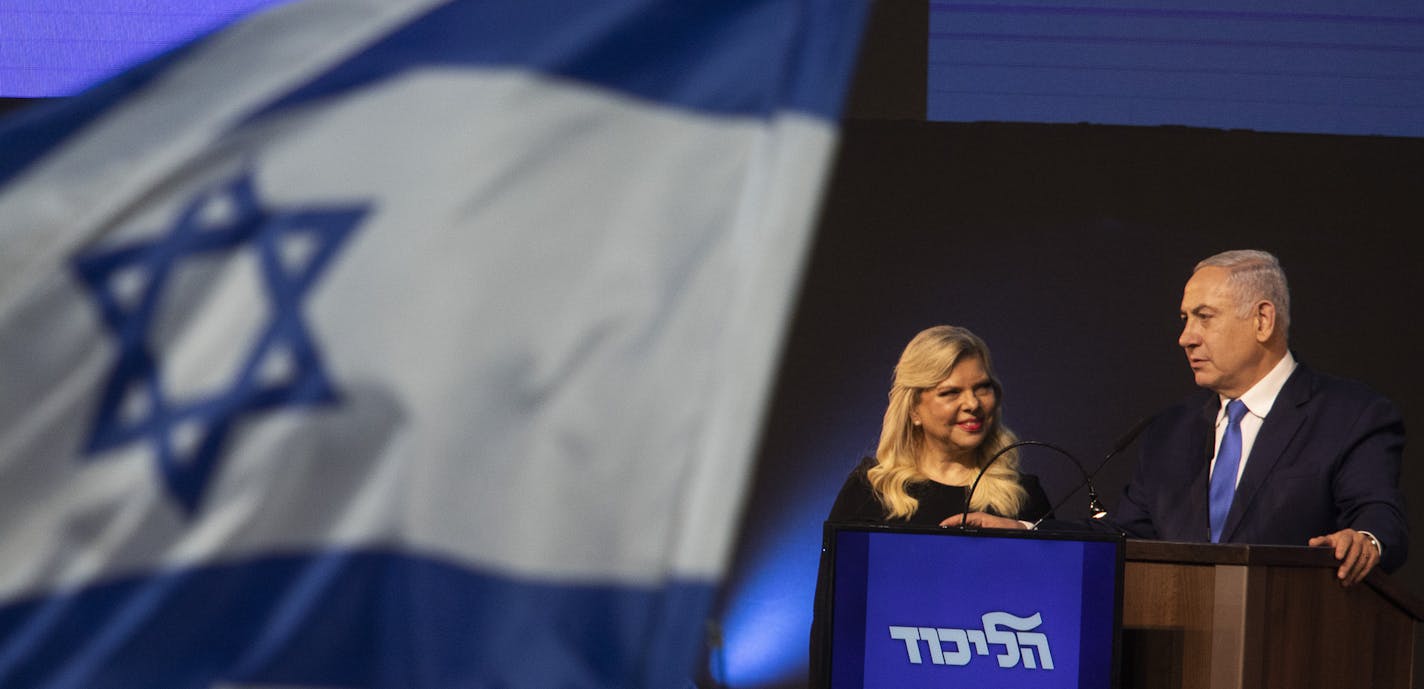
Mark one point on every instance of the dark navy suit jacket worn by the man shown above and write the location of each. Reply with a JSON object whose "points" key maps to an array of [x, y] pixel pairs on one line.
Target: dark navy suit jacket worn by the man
{"points": [[1328, 458]]}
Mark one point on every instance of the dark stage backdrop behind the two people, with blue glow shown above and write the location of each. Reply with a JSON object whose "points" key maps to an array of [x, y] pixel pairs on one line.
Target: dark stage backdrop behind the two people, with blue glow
{"points": [[1066, 248]]}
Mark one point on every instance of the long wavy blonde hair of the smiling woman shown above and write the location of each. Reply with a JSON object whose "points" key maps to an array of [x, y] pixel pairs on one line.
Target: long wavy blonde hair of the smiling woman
{"points": [[925, 365]]}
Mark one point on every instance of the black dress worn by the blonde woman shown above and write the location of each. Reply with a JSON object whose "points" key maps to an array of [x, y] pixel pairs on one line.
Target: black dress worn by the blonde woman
{"points": [[858, 503]]}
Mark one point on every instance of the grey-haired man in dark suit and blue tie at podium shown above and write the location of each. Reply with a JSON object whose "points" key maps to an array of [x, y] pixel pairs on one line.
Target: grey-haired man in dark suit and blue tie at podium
{"points": [[1271, 452]]}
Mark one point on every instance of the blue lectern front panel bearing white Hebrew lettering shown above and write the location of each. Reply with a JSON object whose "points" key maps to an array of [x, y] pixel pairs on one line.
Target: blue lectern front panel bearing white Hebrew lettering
{"points": [[926, 609]]}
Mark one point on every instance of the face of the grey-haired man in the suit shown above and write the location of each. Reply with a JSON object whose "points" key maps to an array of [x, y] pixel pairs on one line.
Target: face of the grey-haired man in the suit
{"points": [[1221, 347]]}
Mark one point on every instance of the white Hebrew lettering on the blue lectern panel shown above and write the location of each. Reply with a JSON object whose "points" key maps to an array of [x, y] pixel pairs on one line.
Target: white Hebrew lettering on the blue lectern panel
{"points": [[959, 647]]}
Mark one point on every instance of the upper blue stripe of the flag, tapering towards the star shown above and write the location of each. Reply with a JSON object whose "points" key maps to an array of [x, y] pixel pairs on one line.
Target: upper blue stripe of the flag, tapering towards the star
{"points": [[697, 53]]}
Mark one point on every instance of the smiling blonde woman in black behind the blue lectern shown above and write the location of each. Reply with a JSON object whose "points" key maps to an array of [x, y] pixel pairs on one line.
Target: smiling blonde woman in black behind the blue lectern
{"points": [[941, 429]]}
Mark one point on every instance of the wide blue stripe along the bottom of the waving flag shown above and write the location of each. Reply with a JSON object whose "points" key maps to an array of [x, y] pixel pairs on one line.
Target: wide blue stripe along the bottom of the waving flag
{"points": [[350, 619]]}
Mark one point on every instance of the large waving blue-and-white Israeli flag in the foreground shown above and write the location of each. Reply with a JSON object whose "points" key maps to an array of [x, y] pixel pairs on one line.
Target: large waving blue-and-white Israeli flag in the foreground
{"points": [[402, 344]]}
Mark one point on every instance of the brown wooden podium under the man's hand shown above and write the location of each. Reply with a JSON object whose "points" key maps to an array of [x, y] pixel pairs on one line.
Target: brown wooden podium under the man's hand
{"points": [[1245, 617]]}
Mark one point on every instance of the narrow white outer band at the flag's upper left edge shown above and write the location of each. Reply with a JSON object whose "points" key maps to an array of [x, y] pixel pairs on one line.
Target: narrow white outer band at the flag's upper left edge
{"points": [[93, 182]]}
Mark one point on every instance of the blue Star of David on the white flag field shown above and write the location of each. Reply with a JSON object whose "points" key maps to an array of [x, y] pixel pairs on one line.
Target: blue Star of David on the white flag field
{"points": [[139, 371]]}
